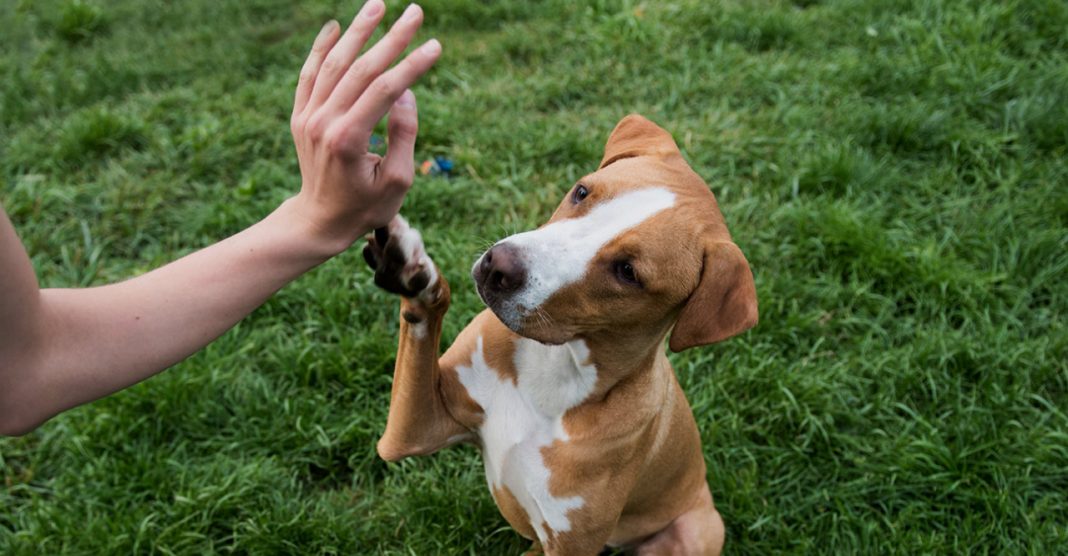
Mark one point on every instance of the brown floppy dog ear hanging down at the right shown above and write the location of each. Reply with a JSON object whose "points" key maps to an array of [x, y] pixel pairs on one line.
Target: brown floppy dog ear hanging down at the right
{"points": [[725, 303]]}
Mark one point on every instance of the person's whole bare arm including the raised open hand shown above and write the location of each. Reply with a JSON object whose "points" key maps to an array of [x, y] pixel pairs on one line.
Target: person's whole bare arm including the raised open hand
{"points": [[60, 348]]}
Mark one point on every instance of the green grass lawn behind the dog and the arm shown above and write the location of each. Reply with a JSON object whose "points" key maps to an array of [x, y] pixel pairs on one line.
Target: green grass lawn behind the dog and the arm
{"points": [[894, 170]]}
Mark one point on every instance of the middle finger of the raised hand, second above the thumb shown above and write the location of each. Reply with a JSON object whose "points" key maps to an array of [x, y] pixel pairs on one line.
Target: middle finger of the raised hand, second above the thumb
{"points": [[376, 60]]}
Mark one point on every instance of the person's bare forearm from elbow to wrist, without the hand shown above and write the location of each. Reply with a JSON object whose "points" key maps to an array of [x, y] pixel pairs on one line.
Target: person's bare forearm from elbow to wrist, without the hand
{"points": [[98, 341]]}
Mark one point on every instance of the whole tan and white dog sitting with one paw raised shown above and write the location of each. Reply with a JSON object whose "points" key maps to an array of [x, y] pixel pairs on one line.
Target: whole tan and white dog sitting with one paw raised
{"points": [[563, 384]]}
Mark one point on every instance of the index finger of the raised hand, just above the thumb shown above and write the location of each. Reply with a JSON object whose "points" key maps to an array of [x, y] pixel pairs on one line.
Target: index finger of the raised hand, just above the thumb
{"points": [[385, 91]]}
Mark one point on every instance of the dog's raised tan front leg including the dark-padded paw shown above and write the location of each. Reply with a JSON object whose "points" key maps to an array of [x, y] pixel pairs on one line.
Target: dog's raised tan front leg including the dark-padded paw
{"points": [[419, 421]]}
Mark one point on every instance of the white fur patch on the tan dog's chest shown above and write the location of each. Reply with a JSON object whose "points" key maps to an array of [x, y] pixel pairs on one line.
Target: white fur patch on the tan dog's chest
{"points": [[523, 417]]}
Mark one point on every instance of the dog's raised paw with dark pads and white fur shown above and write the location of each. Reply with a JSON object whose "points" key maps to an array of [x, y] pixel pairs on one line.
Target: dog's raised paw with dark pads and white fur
{"points": [[400, 261]]}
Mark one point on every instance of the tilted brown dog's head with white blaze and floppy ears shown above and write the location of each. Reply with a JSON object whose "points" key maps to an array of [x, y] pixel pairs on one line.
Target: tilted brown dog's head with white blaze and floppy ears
{"points": [[632, 248]]}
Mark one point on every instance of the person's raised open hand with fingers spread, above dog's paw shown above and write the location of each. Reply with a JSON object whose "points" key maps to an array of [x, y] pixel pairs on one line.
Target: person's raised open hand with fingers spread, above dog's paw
{"points": [[348, 192]]}
